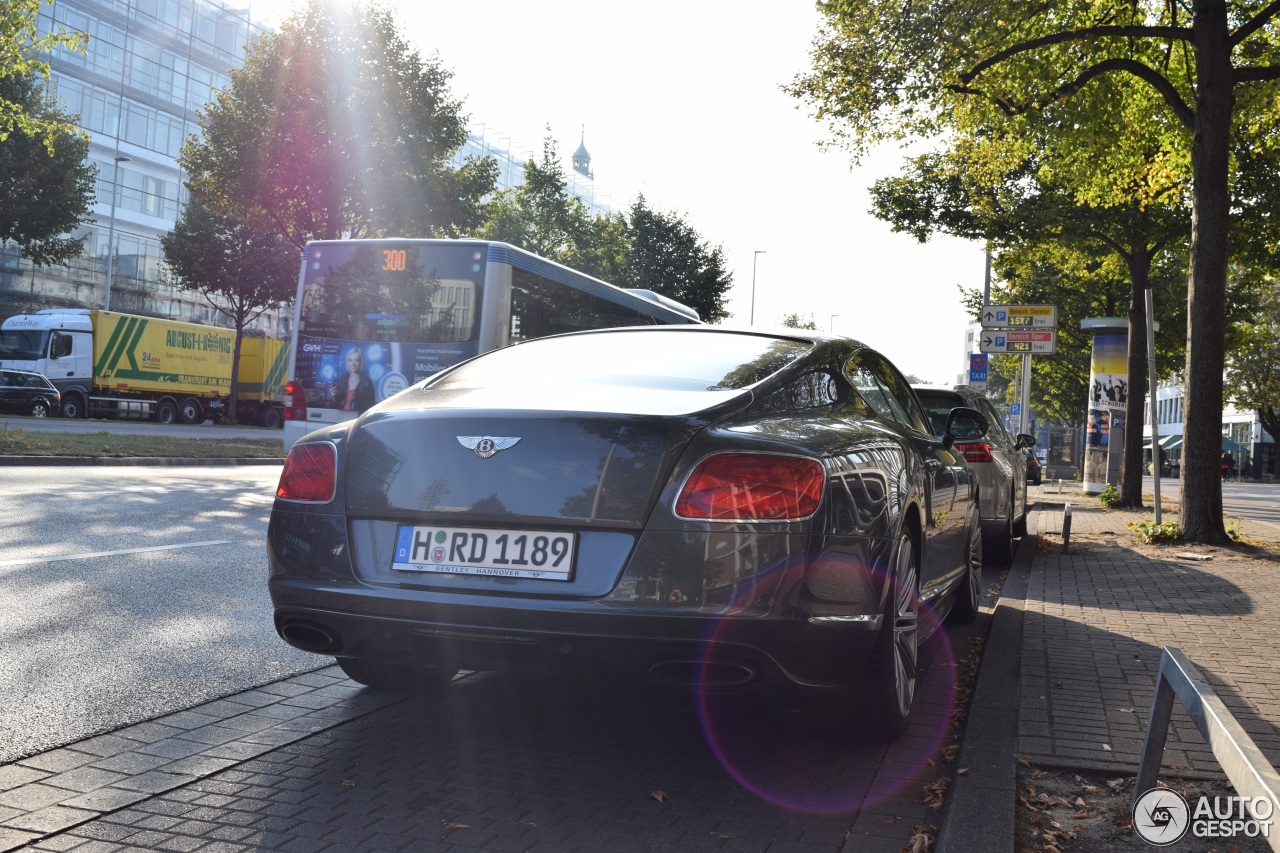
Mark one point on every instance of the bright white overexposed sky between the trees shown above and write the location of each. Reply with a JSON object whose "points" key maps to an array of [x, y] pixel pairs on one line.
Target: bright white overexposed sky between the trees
{"points": [[682, 102]]}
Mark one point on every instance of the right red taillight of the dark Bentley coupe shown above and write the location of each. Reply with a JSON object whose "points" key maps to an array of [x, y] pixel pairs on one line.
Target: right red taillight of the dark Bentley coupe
{"points": [[752, 487]]}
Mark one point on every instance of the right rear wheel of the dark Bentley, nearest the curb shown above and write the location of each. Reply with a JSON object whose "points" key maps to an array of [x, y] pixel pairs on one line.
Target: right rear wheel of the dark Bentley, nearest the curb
{"points": [[889, 683]]}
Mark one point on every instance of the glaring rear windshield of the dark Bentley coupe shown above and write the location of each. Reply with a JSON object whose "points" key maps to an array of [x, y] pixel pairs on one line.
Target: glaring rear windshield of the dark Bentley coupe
{"points": [[694, 361]]}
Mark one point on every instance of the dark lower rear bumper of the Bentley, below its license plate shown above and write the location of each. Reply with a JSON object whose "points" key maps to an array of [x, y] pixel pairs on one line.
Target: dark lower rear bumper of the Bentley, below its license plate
{"points": [[753, 654]]}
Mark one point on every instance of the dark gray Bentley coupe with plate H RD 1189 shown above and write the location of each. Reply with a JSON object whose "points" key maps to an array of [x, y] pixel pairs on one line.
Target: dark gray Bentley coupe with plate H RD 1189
{"points": [[691, 505]]}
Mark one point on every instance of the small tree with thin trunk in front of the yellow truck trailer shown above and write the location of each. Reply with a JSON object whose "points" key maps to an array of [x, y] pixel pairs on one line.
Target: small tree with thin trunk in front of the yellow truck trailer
{"points": [[240, 270]]}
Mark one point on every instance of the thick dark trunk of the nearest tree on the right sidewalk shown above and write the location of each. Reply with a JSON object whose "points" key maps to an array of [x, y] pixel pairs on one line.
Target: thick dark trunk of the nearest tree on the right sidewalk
{"points": [[1206, 293]]}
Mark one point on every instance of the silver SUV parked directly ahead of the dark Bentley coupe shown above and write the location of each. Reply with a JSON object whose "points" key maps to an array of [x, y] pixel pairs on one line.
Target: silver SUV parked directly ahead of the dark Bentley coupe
{"points": [[999, 460]]}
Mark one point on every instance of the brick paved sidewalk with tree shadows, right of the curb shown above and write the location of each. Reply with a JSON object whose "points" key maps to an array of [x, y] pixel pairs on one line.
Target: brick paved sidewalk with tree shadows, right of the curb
{"points": [[1096, 621]]}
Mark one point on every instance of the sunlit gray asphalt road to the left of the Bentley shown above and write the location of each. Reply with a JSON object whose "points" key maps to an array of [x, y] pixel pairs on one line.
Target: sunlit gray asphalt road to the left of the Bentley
{"points": [[131, 592]]}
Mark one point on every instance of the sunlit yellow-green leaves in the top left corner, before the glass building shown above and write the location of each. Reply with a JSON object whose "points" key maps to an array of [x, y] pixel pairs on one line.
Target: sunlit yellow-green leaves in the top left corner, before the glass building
{"points": [[21, 51]]}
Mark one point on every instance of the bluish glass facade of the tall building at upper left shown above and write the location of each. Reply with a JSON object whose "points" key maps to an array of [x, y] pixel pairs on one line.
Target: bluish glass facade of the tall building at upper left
{"points": [[149, 67]]}
